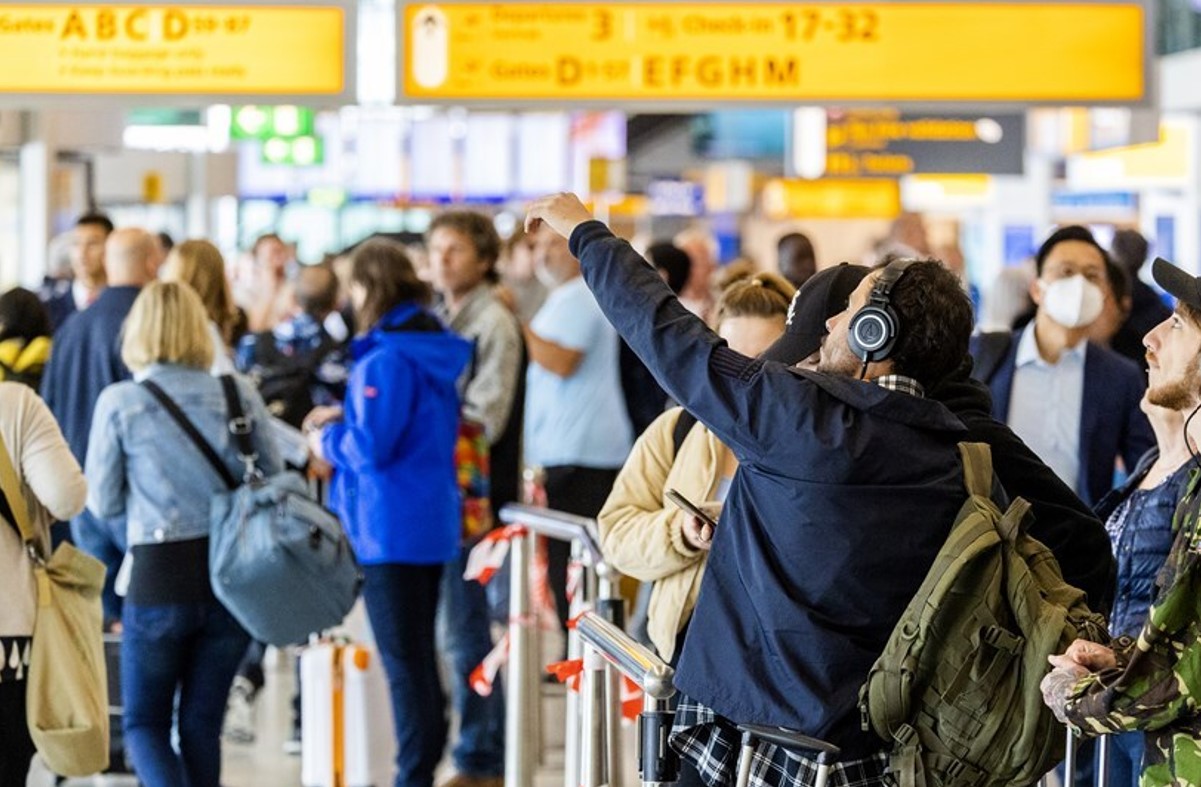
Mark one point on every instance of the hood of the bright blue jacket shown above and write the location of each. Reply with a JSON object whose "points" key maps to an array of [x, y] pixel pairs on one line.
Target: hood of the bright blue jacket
{"points": [[439, 354]]}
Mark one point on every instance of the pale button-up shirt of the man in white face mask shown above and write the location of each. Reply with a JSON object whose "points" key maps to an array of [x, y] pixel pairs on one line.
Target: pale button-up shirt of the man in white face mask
{"points": [[1045, 406]]}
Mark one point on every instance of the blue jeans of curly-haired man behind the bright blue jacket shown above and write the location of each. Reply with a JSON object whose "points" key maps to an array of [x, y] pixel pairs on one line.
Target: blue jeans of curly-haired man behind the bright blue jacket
{"points": [[468, 639]]}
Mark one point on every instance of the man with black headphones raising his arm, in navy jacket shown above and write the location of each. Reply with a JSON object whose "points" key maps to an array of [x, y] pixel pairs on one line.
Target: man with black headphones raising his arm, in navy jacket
{"points": [[850, 480]]}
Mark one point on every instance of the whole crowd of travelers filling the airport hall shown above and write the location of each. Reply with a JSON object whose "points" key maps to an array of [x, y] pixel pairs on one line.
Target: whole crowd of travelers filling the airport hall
{"points": [[815, 410]]}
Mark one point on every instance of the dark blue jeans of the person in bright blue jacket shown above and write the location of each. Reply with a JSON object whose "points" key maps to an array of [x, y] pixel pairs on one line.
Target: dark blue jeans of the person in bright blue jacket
{"points": [[403, 604]]}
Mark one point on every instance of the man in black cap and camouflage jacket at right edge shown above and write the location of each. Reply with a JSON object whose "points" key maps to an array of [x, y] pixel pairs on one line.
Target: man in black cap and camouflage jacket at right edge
{"points": [[1152, 683]]}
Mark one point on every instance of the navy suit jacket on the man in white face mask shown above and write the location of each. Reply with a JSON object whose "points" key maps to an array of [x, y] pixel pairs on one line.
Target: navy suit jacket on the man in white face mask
{"points": [[1112, 425]]}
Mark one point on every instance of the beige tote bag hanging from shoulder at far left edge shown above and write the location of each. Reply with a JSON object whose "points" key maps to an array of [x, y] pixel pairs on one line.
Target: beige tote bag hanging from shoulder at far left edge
{"points": [[68, 693]]}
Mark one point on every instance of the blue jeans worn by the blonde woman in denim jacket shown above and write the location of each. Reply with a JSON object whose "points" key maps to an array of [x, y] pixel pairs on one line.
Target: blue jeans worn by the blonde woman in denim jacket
{"points": [[193, 651]]}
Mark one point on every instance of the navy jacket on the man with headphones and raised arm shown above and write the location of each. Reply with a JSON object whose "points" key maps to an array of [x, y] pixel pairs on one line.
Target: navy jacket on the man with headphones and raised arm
{"points": [[844, 497]]}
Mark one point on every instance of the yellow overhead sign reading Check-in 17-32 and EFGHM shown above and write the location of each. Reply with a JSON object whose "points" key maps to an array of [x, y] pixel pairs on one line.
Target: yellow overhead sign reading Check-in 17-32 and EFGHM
{"points": [[891, 52]]}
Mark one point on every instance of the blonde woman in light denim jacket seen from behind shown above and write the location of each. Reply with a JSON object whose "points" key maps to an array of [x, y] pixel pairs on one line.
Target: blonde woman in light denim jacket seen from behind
{"points": [[178, 639]]}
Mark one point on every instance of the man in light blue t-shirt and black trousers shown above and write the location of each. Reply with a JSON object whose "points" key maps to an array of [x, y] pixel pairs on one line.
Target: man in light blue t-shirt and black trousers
{"points": [[576, 422]]}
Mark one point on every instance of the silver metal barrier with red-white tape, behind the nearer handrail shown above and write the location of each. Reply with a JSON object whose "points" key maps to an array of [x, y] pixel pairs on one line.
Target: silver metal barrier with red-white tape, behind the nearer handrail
{"points": [[593, 744]]}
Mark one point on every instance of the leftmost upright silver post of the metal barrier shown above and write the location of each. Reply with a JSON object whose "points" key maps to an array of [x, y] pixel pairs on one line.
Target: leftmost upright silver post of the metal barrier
{"points": [[522, 735]]}
